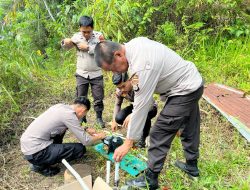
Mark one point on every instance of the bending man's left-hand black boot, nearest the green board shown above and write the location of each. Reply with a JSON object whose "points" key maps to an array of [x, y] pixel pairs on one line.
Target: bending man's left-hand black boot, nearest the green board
{"points": [[148, 179]]}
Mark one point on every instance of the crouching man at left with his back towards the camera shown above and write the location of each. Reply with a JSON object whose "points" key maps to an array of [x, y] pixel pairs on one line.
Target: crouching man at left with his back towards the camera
{"points": [[42, 145]]}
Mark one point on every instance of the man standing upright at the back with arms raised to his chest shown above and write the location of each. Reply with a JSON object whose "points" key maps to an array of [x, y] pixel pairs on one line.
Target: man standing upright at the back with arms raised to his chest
{"points": [[87, 72]]}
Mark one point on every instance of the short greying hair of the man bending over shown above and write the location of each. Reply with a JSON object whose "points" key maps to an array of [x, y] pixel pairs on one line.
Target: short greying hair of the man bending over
{"points": [[104, 51]]}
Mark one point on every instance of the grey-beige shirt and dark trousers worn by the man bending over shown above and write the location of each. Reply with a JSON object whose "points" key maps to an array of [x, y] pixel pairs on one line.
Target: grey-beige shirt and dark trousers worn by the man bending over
{"points": [[160, 70]]}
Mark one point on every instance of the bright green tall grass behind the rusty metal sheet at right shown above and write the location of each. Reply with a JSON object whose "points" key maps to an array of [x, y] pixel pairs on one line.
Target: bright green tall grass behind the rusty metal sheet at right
{"points": [[223, 61]]}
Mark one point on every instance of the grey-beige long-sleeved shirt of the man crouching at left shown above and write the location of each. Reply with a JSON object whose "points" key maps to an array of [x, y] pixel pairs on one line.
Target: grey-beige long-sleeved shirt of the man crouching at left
{"points": [[55, 121]]}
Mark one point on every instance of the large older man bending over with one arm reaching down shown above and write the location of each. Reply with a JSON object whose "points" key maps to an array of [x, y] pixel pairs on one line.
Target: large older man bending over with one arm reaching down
{"points": [[157, 69]]}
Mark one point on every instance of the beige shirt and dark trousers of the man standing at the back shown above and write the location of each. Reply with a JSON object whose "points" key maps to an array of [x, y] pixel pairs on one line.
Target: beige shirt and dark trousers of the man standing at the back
{"points": [[87, 71]]}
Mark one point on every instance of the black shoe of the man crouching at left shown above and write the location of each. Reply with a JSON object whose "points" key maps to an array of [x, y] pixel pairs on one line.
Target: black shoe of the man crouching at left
{"points": [[45, 171]]}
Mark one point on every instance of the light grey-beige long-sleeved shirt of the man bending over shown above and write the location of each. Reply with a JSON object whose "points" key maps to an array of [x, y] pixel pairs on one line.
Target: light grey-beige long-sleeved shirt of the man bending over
{"points": [[159, 70]]}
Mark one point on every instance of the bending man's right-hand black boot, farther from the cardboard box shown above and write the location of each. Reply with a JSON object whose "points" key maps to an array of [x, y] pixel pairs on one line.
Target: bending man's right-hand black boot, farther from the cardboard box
{"points": [[190, 167]]}
